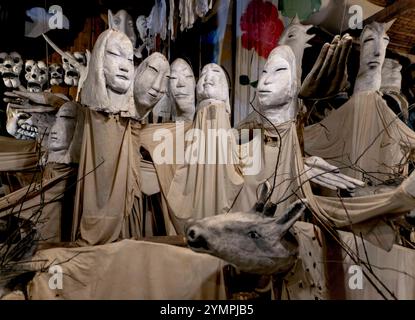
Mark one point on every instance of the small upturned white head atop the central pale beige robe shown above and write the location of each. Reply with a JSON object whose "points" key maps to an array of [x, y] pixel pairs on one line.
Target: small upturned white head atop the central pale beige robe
{"points": [[212, 84]]}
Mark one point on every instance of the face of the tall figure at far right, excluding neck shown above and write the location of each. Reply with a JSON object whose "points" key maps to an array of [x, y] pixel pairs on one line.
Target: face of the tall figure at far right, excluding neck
{"points": [[373, 50]]}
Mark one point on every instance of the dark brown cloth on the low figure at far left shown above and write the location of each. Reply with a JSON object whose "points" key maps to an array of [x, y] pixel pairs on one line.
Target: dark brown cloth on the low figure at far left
{"points": [[46, 203]]}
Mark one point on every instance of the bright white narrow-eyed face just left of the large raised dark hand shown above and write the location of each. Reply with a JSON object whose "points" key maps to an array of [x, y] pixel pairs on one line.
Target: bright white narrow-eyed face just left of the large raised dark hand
{"points": [[275, 83]]}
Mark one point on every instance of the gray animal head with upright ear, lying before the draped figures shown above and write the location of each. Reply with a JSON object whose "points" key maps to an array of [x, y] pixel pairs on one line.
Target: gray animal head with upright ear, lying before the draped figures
{"points": [[249, 241]]}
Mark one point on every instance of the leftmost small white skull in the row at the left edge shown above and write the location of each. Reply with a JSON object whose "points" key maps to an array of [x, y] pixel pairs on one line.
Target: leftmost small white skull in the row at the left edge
{"points": [[10, 68]]}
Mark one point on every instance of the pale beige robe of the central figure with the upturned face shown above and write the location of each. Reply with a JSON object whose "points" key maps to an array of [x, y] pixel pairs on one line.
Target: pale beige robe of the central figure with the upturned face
{"points": [[209, 186]]}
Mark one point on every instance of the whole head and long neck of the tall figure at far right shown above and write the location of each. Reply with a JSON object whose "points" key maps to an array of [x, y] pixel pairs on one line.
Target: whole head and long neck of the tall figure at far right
{"points": [[373, 44]]}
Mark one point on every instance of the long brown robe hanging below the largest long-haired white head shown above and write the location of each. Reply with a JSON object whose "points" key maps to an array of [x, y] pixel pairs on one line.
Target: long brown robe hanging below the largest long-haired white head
{"points": [[108, 179]]}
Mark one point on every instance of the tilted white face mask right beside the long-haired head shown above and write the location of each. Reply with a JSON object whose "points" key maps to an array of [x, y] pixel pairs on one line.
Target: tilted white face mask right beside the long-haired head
{"points": [[151, 84]]}
